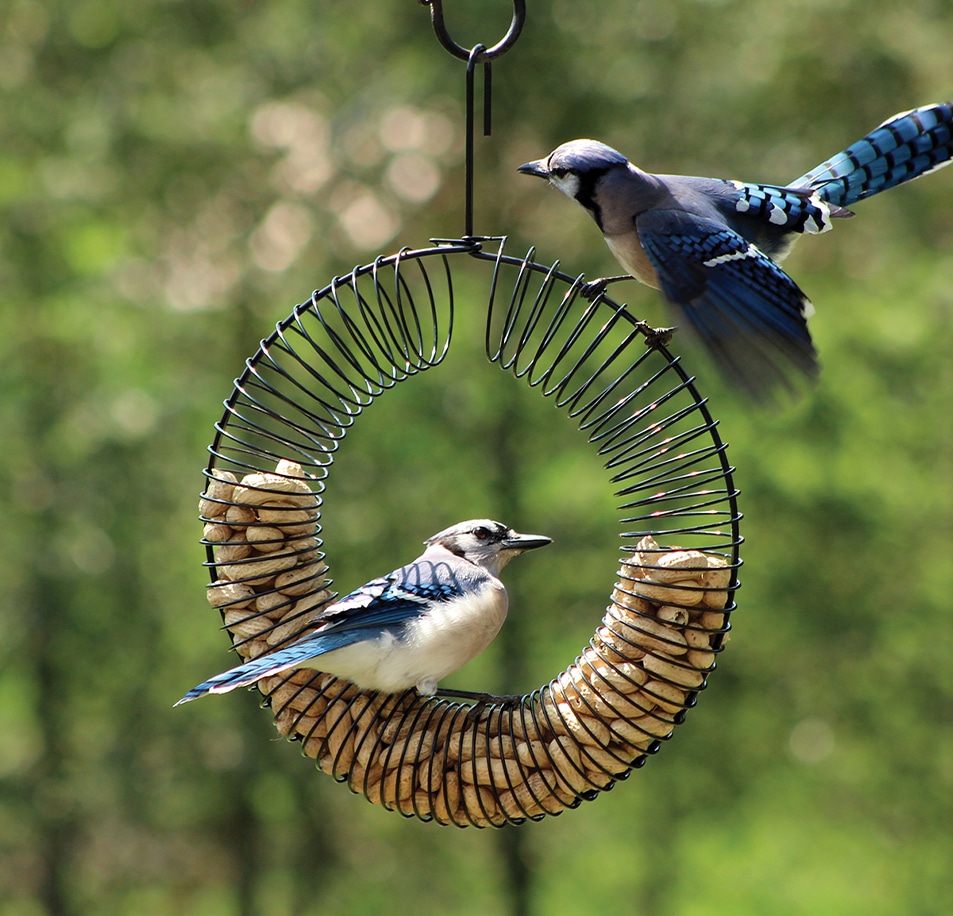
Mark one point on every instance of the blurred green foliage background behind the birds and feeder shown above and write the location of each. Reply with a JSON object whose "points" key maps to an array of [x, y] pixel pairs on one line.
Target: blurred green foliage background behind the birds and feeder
{"points": [[175, 176]]}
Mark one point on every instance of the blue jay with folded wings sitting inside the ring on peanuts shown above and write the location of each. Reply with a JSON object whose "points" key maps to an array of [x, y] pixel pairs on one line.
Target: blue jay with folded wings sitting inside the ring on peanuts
{"points": [[409, 628]]}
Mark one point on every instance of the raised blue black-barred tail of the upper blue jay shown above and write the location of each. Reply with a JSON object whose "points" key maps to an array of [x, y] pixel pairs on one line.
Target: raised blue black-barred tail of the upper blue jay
{"points": [[904, 147]]}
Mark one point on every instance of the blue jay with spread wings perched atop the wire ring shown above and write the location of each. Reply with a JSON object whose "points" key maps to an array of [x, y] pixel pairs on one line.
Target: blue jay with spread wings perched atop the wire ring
{"points": [[712, 246]]}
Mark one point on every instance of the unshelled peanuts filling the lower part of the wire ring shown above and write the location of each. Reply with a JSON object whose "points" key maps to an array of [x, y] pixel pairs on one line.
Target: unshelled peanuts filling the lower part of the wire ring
{"points": [[487, 764]]}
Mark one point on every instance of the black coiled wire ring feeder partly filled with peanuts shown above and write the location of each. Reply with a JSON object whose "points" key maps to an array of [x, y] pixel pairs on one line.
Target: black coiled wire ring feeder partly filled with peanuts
{"points": [[509, 759]]}
